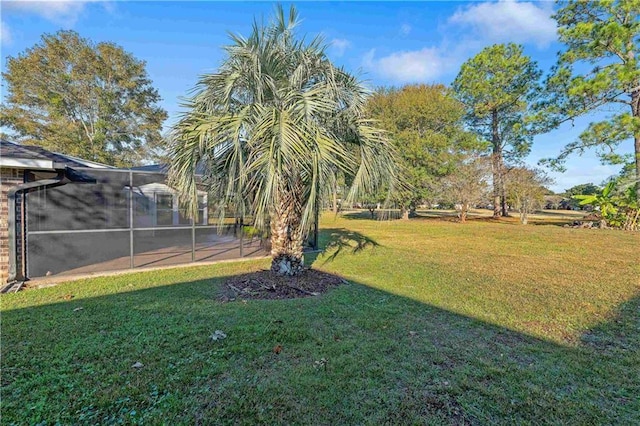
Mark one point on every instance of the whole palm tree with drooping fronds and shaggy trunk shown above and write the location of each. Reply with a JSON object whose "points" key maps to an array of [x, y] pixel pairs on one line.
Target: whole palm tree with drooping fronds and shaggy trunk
{"points": [[271, 128]]}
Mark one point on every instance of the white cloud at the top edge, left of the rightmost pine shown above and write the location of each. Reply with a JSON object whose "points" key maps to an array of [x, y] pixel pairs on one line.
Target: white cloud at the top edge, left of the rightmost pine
{"points": [[510, 21]]}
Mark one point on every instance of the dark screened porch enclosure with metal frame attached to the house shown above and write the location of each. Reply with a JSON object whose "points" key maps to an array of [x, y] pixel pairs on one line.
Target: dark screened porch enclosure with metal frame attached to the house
{"points": [[126, 219]]}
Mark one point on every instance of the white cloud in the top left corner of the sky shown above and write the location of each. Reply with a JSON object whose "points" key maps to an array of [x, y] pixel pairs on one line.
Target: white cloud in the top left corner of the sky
{"points": [[64, 12]]}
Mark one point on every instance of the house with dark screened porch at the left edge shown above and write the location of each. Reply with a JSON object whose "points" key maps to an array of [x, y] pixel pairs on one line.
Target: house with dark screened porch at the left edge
{"points": [[65, 215]]}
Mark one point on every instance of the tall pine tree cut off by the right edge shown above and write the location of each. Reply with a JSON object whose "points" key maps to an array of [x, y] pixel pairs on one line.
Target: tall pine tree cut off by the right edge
{"points": [[599, 67]]}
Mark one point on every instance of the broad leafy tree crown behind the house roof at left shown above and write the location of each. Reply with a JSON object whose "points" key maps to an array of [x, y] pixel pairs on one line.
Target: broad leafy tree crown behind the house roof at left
{"points": [[80, 98]]}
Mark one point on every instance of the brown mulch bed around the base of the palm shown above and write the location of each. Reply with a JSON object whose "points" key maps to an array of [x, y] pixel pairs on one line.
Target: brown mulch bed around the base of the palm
{"points": [[267, 285]]}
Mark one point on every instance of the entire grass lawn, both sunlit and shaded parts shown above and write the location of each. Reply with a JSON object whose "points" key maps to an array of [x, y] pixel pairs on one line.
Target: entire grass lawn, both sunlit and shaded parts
{"points": [[442, 323]]}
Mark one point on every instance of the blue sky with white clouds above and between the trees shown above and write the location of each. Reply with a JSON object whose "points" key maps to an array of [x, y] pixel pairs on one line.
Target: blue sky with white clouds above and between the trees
{"points": [[386, 43]]}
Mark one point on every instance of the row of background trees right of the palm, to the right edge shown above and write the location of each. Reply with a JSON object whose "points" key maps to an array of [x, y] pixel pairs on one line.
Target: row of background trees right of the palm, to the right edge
{"points": [[499, 101]]}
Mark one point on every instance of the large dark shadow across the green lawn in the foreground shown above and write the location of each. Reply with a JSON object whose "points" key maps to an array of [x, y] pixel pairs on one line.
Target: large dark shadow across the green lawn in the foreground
{"points": [[387, 360]]}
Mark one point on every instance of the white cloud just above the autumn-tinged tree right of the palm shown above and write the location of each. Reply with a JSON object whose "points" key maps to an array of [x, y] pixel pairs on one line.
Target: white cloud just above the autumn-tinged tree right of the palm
{"points": [[411, 66]]}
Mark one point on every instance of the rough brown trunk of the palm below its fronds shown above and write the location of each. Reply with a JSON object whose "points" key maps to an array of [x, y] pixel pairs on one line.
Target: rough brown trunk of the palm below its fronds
{"points": [[287, 237]]}
